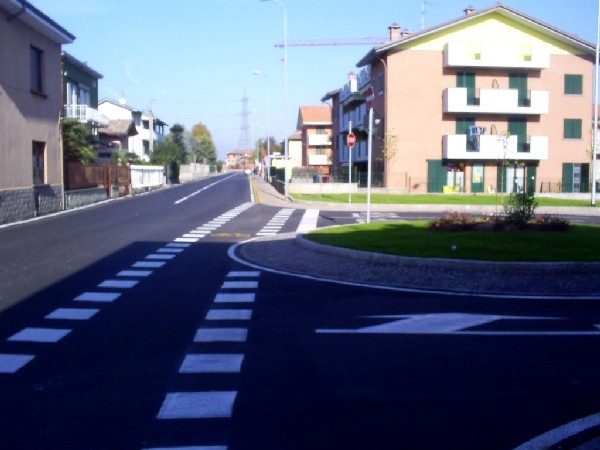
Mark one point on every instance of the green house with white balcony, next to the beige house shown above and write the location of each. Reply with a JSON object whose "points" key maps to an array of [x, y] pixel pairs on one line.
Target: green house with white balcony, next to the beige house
{"points": [[80, 93]]}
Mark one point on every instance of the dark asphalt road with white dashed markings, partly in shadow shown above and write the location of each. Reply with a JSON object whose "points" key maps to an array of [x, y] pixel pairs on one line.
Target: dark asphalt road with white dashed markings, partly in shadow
{"points": [[128, 326]]}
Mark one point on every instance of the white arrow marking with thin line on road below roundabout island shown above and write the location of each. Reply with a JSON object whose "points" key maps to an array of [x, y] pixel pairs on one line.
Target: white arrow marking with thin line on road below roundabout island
{"points": [[450, 323]]}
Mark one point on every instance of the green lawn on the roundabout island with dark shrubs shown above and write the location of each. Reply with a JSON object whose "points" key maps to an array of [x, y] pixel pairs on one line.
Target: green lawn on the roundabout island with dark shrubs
{"points": [[581, 243]]}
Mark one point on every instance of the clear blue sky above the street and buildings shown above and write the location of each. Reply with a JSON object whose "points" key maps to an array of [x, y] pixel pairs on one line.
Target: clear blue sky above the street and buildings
{"points": [[194, 59]]}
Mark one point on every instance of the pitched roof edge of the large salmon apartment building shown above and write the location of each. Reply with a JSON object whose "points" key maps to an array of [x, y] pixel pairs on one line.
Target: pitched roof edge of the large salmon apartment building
{"points": [[500, 8]]}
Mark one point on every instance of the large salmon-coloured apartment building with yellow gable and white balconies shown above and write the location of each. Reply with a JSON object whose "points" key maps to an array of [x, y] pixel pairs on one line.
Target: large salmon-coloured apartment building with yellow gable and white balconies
{"points": [[493, 101]]}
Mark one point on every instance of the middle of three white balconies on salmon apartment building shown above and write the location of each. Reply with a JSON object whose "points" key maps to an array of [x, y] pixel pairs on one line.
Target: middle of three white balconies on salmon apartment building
{"points": [[495, 101]]}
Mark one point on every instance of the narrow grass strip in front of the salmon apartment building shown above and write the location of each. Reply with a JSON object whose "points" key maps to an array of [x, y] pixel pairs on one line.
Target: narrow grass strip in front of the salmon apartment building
{"points": [[433, 199]]}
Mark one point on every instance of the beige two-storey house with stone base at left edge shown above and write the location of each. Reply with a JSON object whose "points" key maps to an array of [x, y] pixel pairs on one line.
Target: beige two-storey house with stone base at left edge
{"points": [[31, 166]]}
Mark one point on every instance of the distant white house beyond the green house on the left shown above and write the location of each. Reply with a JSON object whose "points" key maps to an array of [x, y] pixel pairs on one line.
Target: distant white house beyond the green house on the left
{"points": [[149, 128]]}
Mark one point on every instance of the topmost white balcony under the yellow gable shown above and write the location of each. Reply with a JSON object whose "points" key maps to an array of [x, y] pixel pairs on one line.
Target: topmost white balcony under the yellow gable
{"points": [[502, 55]]}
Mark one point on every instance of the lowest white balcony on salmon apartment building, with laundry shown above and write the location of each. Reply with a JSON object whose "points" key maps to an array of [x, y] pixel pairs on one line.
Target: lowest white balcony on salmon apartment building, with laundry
{"points": [[495, 147]]}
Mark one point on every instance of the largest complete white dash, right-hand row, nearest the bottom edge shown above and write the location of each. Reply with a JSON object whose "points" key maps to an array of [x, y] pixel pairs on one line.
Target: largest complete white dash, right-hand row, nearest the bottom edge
{"points": [[197, 405]]}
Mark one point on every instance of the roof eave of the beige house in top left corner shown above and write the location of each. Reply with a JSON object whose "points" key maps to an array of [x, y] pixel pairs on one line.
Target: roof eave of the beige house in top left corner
{"points": [[36, 19]]}
